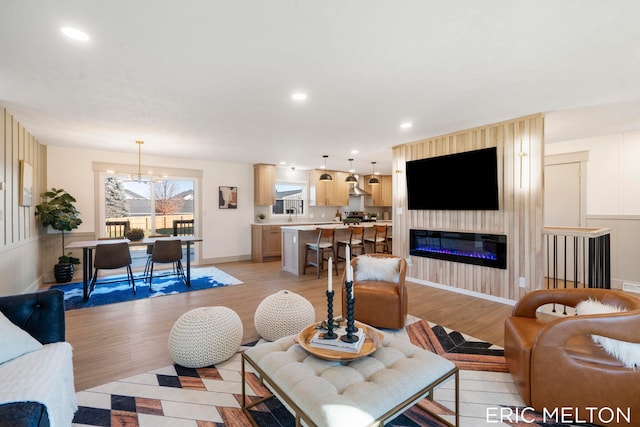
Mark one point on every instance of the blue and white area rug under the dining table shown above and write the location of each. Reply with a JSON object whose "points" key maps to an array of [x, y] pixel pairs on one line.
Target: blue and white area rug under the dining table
{"points": [[110, 293]]}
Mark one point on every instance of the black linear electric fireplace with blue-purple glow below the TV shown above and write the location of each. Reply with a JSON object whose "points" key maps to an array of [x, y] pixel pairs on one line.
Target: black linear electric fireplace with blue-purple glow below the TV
{"points": [[489, 250]]}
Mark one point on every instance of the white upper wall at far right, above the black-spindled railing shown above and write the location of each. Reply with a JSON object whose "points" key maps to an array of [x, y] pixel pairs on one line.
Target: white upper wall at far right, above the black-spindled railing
{"points": [[613, 175]]}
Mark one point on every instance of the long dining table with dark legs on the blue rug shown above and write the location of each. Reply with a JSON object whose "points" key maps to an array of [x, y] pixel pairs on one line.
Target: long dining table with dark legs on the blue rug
{"points": [[88, 246]]}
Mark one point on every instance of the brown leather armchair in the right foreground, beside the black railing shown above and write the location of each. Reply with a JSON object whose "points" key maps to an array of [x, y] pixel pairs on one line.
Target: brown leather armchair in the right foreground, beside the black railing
{"points": [[556, 364]]}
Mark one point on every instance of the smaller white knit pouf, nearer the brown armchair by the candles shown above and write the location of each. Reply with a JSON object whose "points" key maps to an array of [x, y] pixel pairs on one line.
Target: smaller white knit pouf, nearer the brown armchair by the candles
{"points": [[283, 313]]}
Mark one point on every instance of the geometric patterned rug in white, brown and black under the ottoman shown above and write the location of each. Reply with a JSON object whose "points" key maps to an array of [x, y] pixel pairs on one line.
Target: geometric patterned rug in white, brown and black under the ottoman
{"points": [[211, 397]]}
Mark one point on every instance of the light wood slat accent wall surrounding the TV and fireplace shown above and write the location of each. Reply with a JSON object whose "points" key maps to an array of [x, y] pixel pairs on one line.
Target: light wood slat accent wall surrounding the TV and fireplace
{"points": [[520, 181]]}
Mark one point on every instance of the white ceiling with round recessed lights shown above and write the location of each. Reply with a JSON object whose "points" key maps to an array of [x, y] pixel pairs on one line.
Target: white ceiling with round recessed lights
{"points": [[212, 79]]}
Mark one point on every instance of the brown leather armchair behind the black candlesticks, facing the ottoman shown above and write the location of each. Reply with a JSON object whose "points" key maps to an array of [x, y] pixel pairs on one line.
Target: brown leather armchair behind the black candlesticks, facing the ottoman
{"points": [[378, 303]]}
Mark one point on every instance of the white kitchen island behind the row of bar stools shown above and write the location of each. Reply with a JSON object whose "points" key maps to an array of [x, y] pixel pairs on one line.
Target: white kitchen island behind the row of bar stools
{"points": [[295, 238]]}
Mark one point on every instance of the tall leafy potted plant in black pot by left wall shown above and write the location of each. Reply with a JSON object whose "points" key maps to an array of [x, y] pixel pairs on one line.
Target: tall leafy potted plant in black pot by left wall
{"points": [[58, 211]]}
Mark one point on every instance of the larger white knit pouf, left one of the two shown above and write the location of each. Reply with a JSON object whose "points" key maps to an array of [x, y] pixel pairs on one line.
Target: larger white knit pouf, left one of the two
{"points": [[205, 336]]}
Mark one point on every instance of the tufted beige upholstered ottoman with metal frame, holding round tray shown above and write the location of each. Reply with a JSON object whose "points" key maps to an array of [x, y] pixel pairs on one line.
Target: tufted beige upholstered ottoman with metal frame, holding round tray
{"points": [[362, 392]]}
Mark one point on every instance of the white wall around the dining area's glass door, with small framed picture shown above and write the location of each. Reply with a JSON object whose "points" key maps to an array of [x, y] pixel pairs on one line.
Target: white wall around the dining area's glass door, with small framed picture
{"points": [[226, 233]]}
